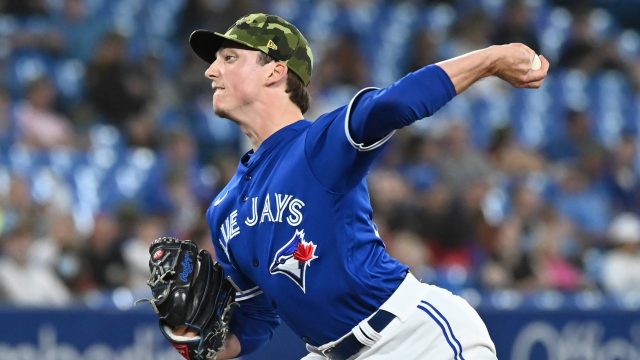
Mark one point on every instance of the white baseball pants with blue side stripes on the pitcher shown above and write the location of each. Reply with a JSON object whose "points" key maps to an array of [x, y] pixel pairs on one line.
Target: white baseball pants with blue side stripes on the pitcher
{"points": [[431, 323]]}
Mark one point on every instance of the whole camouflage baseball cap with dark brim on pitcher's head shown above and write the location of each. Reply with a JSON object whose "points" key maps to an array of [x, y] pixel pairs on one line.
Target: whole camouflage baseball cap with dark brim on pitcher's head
{"points": [[270, 34]]}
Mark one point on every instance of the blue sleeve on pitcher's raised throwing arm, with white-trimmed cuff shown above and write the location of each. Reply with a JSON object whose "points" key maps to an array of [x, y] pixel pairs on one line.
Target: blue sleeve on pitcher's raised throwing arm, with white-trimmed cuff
{"points": [[341, 145]]}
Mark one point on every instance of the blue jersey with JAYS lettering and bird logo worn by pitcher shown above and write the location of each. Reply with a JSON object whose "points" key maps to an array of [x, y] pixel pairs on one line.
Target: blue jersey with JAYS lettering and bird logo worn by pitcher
{"points": [[294, 230]]}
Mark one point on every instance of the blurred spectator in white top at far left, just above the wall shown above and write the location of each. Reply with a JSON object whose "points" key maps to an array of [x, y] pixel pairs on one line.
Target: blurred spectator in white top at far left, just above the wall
{"points": [[22, 282]]}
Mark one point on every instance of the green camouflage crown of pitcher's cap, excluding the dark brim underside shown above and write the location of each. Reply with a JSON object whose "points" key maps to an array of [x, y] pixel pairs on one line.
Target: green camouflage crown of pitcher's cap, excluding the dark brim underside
{"points": [[275, 37]]}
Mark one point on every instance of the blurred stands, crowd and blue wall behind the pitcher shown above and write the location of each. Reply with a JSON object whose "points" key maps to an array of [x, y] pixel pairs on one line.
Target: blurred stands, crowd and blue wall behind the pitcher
{"points": [[525, 202]]}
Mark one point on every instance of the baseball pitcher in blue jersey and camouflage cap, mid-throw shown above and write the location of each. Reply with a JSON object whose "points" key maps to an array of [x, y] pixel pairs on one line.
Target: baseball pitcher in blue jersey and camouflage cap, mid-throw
{"points": [[293, 229]]}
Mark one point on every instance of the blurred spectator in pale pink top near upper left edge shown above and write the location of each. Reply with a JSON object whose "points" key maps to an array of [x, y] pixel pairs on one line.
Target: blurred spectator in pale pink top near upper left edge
{"points": [[40, 126]]}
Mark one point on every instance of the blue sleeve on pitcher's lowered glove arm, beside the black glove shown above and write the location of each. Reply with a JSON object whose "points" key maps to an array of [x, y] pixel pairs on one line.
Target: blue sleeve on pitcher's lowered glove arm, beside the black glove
{"points": [[254, 321]]}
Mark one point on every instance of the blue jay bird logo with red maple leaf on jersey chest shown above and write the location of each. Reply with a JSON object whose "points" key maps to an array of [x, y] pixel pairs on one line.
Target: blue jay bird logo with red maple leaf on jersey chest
{"points": [[294, 258]]}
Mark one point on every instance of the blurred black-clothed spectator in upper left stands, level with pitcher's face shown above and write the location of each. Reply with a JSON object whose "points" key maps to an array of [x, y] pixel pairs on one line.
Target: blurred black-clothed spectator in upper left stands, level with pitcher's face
{"points": [[116, 88]]}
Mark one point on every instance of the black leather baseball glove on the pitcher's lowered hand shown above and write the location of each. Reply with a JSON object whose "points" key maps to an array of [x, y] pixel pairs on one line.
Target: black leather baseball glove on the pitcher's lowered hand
{"points": [[189, 290]]}
